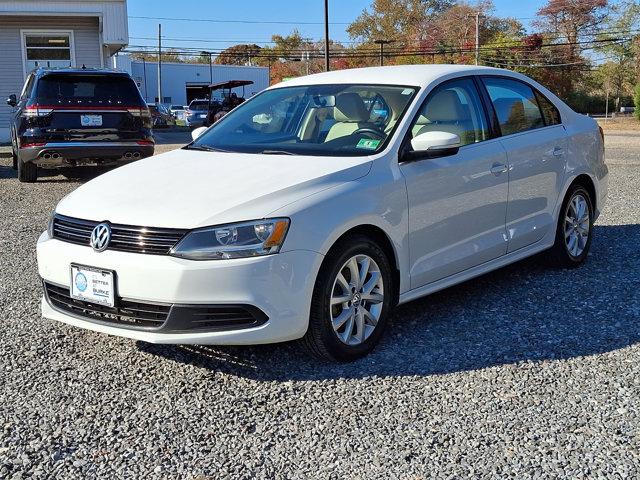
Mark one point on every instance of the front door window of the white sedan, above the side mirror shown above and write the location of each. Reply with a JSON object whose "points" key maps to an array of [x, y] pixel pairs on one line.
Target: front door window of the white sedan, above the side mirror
{"points": [[453, 107]]}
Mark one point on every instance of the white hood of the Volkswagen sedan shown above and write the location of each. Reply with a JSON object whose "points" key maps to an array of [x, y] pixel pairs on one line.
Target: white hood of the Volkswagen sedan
{"points": [[189, 189]]}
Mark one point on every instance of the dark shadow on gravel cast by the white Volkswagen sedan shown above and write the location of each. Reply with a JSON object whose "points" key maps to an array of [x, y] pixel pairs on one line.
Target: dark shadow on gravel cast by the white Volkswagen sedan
{"points": [[520, 313]]}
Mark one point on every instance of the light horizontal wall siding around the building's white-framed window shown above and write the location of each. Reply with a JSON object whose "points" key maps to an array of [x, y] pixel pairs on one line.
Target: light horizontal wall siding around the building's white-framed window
{"points": [[86, 42]]}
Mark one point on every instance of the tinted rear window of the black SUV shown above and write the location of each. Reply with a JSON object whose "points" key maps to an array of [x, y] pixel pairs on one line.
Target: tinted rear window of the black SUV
{"points": [[87, 90]]}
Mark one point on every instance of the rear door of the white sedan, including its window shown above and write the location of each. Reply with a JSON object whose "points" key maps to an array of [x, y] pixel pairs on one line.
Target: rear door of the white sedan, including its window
{"points": [[536, 144]]}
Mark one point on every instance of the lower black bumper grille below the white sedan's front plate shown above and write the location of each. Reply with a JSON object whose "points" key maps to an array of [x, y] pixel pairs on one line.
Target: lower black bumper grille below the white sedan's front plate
{"points": [[136, 314]]}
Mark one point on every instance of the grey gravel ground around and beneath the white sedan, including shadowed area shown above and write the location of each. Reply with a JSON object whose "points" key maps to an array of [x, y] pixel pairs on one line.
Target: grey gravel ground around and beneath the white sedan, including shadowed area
{"points": [[523, 373]]}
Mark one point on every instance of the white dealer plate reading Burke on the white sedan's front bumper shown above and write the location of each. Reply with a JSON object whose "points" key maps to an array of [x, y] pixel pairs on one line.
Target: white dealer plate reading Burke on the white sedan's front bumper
{"points": [[93, 285]]}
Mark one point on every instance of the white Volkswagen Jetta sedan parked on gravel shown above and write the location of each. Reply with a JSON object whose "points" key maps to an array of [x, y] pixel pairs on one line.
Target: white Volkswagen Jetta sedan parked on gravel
{"points": [[314, 208]]}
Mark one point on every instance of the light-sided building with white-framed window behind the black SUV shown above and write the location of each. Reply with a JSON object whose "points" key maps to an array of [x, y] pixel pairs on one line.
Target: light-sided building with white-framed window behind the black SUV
{"points": [[55, 33]]}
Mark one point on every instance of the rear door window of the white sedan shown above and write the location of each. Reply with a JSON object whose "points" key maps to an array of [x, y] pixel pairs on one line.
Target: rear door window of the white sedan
{"points": [[515, 104]]}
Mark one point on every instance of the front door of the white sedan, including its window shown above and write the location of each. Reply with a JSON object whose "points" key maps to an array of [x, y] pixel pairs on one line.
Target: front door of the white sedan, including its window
{"points": [[457, 203]]}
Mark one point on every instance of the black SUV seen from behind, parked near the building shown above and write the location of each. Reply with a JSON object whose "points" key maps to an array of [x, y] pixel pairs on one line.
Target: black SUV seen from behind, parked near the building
{"points": [[71, 117]]}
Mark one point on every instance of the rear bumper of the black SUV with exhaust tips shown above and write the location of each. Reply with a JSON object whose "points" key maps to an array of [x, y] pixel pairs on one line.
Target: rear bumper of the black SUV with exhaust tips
{"points": [[69, 154]]}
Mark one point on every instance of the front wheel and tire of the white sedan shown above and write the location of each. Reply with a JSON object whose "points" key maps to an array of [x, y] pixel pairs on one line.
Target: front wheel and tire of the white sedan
{"points": [[351, 302]]}
